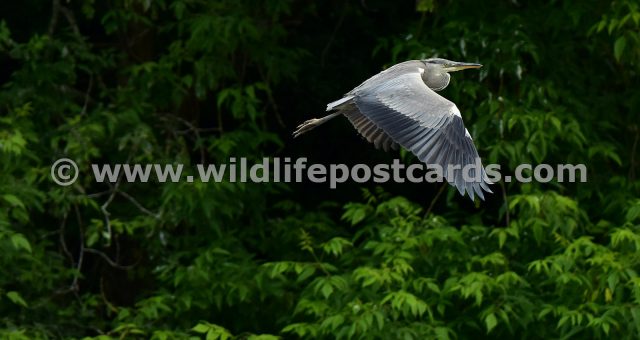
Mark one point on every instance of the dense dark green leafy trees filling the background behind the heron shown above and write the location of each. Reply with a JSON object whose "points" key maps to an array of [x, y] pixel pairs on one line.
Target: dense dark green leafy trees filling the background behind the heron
{"points": [[195, 81]]}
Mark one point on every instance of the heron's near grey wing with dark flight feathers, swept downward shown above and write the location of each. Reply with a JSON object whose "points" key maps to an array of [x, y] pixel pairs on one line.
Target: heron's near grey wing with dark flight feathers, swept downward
{"points": [[425, 123]]}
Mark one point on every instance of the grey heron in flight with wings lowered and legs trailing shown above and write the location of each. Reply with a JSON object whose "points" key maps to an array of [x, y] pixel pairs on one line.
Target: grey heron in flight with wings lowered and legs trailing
{"points": [[400, 106]]}
